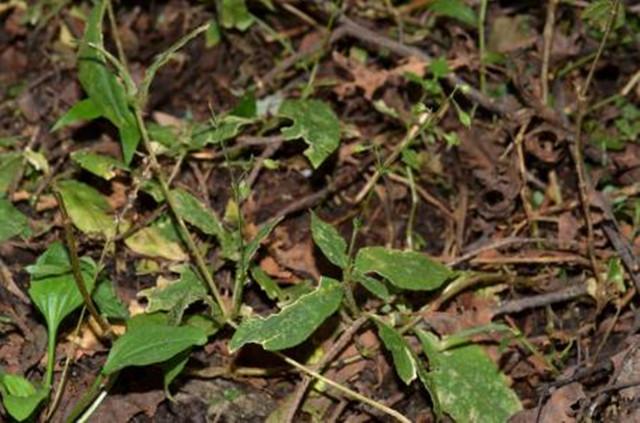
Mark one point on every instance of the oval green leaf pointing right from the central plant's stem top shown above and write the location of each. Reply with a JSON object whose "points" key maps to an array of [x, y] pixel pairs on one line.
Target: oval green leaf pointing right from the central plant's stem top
{"points": [[404, 269]]}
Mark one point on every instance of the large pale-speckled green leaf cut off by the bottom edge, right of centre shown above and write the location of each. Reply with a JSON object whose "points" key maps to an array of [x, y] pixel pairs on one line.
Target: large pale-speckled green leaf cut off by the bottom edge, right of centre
{"points": [[467, 383]]}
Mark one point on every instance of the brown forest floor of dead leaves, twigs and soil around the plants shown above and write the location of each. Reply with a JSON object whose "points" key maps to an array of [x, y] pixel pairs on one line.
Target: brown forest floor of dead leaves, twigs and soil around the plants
{"points": [[527, 184]]}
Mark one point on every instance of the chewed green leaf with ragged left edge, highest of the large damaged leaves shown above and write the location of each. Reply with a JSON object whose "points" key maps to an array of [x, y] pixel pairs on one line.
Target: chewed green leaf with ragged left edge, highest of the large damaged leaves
{"points": [[316, 123]]}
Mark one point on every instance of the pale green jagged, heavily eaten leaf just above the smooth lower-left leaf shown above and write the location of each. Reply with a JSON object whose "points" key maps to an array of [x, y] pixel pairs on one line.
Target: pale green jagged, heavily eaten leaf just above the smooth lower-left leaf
{"points": [[175, 297]]}
